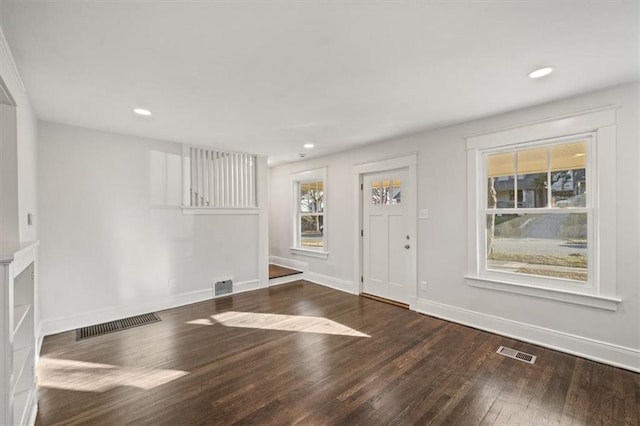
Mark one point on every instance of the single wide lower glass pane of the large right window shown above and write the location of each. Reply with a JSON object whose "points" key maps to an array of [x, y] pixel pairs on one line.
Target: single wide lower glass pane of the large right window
{"points": [[548, 245]]}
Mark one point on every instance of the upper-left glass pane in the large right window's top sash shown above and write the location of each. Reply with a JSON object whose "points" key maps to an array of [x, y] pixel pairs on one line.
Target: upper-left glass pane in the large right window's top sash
{"points": [[500, 172]]}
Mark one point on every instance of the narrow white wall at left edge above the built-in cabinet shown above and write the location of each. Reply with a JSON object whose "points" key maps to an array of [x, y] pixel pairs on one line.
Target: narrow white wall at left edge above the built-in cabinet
{"points": [[25, 153]]}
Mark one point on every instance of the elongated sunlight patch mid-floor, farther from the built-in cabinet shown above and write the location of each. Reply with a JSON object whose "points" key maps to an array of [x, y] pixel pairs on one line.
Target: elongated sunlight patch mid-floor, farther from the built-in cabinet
{"points": [[299, 323]]}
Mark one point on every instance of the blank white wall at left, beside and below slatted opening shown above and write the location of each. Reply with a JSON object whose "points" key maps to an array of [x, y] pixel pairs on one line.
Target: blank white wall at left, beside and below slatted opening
{"points": [[114, 240]]}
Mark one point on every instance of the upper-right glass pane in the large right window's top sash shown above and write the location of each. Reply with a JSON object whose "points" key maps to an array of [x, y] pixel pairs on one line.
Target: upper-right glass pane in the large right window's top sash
{"points": [[568, 174]]}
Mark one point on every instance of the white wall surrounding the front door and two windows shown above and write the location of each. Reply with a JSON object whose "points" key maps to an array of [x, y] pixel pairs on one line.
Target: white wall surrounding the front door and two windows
{"points": [[612, 337]]}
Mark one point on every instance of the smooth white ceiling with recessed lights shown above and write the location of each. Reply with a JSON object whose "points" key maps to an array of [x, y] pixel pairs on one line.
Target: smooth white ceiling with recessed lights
{"points": [[267, 77]]}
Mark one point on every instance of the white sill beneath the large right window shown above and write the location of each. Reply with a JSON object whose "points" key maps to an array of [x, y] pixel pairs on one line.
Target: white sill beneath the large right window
{"points": [[592, 300]]}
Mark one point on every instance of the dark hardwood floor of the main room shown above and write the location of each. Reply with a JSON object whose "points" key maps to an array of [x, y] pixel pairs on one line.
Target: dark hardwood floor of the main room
{"points": [[303, 353]]}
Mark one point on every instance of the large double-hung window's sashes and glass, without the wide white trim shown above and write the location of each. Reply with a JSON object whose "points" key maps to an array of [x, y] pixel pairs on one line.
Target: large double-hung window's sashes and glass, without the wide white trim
{"points": [[538, 211]]}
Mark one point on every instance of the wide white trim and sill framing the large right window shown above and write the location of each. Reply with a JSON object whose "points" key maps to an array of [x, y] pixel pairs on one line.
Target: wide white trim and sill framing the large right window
{"points": [[602, 291]]}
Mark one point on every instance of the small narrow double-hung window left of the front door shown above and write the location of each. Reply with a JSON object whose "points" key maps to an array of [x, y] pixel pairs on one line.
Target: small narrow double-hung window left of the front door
{"points": [[309, 208]]}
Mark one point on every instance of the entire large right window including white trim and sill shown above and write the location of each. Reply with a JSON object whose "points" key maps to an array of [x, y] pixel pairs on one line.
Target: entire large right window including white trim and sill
{"points": [[542, 209]]}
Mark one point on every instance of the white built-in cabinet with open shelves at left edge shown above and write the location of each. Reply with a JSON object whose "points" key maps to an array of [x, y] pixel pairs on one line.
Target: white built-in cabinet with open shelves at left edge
{"points": [[18, 267]]}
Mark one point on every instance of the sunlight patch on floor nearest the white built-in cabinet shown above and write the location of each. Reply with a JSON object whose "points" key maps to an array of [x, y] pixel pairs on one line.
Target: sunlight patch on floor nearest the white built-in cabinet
{"points": [[91, 377]]}
